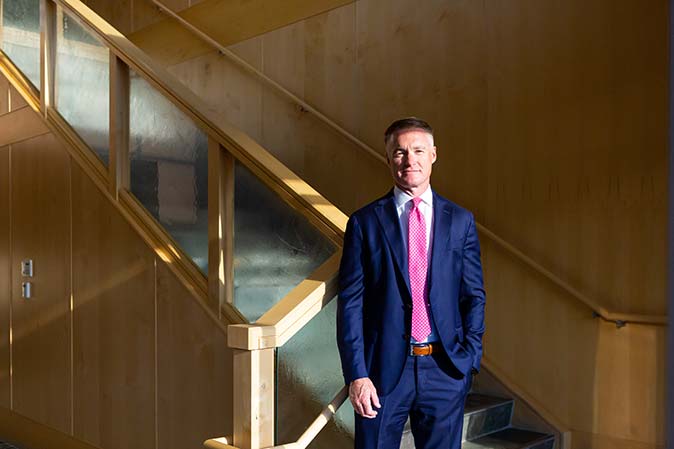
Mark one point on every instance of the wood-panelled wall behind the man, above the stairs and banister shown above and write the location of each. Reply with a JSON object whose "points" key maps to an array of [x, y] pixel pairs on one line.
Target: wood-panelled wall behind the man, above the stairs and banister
{"points": [[556, 114]]}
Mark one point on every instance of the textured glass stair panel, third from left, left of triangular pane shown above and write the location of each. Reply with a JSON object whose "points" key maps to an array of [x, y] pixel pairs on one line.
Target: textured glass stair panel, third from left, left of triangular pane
{"points": [[169, 168]]}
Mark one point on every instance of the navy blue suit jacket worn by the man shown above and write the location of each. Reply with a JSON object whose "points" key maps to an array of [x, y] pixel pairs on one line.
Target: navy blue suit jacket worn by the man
{"points": [[375, 304]]}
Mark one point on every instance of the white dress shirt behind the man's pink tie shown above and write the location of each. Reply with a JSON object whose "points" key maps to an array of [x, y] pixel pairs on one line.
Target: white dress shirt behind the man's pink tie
{"points": [[403, 202]]}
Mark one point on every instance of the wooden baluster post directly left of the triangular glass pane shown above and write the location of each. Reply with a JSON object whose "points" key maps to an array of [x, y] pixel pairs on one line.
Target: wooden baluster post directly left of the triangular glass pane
{"points": [[220, 225]]}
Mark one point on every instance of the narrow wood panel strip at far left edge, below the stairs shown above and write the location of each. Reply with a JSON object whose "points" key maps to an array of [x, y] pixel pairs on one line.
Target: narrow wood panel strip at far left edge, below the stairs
{"points": [[5, 275]]}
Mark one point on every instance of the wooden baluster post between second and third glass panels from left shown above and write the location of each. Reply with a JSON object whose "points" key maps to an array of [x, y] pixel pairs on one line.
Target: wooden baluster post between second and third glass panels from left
{"points": [[119, 171]]}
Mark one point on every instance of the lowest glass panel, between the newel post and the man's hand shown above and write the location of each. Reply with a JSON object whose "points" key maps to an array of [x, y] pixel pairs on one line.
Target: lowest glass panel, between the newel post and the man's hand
{"points": [[308, 377]]}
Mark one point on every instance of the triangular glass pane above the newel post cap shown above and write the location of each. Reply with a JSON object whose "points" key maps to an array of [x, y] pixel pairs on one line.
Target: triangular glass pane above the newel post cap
{"points": [[275, 247]]}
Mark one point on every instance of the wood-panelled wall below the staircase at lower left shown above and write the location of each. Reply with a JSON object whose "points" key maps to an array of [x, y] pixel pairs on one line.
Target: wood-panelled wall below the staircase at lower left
{"points": [[111, 349]]}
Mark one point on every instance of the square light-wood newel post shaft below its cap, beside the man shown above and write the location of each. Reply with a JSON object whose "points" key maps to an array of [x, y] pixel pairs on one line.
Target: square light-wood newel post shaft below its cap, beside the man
{"points": [[254, 398]]}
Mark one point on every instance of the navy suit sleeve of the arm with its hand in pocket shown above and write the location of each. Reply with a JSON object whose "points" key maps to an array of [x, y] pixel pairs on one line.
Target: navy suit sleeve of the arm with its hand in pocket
{"points": [[472, 299]]}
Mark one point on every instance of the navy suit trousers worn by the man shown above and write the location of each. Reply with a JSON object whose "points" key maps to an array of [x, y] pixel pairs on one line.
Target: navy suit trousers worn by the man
{"points": [[432, 393]]}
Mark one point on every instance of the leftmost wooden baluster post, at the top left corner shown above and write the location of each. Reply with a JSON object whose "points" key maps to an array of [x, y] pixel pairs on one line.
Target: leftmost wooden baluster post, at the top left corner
{"points": [[47, 53]]}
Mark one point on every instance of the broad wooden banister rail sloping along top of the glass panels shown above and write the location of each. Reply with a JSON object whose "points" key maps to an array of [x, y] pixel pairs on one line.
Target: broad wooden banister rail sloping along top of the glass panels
{"points": [[328, 218]]}
